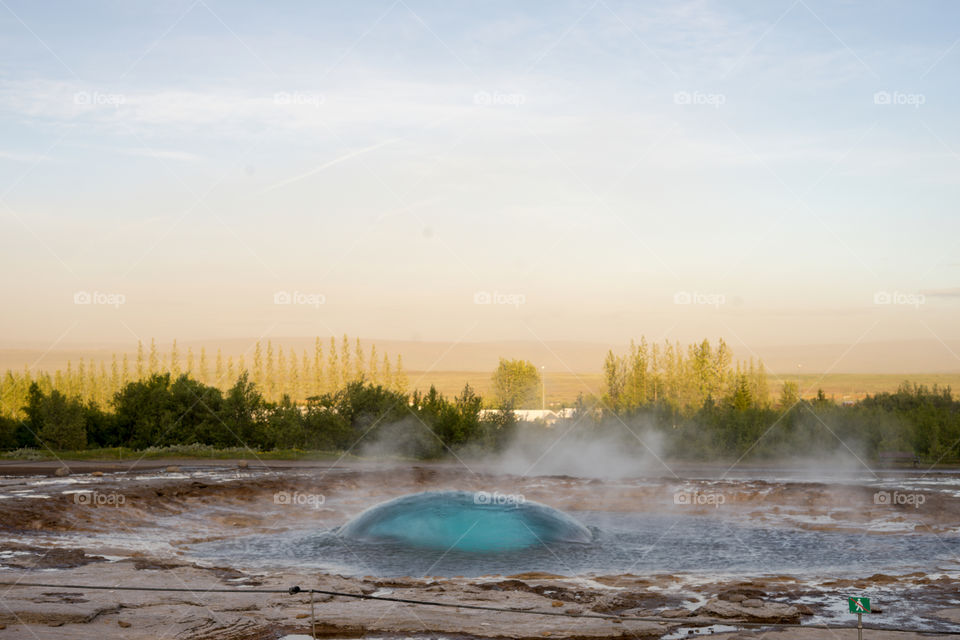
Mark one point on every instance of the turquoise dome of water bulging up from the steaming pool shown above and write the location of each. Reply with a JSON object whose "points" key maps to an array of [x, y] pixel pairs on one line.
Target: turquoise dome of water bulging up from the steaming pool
{"points": [[465, 521]]}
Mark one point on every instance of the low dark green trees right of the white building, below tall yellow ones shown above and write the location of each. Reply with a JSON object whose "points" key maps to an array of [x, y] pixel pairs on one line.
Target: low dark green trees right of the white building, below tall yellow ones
{"points": [[915, 422]]}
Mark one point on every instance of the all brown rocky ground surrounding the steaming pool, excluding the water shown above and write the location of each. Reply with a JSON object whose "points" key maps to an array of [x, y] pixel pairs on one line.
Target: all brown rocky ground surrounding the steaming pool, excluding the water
{"points": [[39, 542]]}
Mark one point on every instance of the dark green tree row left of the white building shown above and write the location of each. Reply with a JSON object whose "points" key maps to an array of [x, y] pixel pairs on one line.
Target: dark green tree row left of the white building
{"points": [[161, 411]]}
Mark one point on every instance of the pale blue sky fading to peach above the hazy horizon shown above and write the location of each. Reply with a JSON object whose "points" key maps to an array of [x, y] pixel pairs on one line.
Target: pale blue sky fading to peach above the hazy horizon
{"points": [[780, 172]]}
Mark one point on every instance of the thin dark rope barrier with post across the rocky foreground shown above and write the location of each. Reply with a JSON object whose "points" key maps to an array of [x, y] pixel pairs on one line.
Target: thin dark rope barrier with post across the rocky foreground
{"points": [[433, 603]]}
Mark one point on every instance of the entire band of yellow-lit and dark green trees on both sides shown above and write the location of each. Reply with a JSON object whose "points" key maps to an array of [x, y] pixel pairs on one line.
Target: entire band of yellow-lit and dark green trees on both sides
{"points": [[697, 400]]}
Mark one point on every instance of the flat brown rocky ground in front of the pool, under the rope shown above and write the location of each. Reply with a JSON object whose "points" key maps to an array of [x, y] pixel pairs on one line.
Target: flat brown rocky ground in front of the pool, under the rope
{"points": [[198, 612]]}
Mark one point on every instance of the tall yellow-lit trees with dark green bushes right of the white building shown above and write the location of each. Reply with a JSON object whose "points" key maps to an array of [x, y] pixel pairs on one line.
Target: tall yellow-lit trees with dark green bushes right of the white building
{"points": [[704, 405]]}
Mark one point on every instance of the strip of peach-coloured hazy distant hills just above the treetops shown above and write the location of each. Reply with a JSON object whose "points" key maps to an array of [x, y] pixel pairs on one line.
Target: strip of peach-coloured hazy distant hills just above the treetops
{"points": [[905, 357]]}
